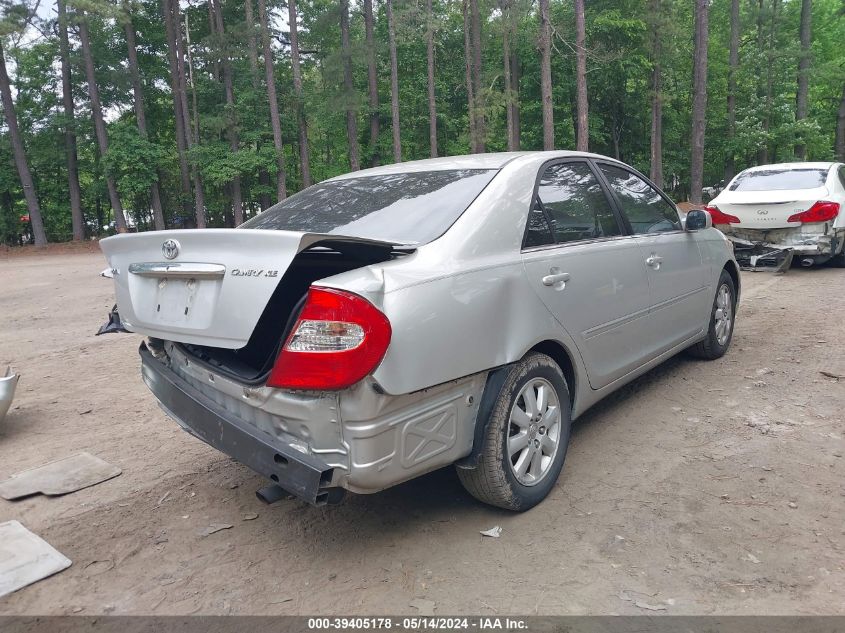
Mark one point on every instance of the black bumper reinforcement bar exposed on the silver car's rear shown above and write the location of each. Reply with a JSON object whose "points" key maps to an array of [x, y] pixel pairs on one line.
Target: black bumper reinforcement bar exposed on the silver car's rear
{"points": [[300, 474]]}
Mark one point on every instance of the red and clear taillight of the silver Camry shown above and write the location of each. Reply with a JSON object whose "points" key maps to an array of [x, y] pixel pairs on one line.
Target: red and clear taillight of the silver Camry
{"points": [[338, 339]]}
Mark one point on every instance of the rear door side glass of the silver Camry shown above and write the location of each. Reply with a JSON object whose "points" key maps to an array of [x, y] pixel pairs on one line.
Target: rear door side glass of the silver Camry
{"points": [[576, 204]]}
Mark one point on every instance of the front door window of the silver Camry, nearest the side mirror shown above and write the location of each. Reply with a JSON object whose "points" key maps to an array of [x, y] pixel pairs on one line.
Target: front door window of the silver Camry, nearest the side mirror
{"points": [[642, 204]]}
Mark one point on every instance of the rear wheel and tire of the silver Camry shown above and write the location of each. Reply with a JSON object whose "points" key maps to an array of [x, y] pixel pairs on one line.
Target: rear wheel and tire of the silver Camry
{"points": [[511, 476]]}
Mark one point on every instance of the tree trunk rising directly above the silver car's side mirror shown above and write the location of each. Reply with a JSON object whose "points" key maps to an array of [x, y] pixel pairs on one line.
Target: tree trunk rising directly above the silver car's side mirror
{"points": [[699, 100]]}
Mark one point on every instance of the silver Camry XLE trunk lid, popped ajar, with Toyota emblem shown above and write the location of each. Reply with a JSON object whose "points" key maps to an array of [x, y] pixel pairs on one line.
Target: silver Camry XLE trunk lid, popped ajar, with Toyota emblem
{"points": [[204, 287]]}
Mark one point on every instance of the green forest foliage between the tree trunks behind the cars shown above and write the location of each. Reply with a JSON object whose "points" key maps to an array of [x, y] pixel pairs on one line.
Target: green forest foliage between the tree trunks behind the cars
{"points": [[619, 62]]}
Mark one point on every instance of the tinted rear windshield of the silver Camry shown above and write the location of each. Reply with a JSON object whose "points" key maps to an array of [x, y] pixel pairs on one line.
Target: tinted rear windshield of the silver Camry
{"points": [[408, 208]]}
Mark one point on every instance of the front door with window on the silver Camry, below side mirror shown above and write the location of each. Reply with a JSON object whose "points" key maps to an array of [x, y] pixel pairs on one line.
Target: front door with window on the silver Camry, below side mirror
{"points": [[677, 277]]}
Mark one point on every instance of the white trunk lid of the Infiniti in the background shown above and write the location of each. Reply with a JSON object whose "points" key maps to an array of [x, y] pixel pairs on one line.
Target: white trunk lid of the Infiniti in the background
{"points": [[768, 209]]}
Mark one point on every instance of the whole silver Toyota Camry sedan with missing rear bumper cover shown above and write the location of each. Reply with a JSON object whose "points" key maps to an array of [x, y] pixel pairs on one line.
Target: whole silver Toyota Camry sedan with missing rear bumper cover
{"points": [[392, 321]]}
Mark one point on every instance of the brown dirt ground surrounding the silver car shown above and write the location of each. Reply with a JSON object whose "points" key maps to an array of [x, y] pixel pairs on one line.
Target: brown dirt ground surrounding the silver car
{"points": [[700, 488]]}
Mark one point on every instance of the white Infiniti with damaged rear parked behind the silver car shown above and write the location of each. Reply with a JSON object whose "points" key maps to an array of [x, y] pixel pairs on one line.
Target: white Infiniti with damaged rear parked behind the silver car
{"points": [[773, 213]]}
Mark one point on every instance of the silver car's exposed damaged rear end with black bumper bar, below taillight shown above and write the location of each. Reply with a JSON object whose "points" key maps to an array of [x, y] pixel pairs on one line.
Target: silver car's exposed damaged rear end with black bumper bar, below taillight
{"points": [[316, 445]]}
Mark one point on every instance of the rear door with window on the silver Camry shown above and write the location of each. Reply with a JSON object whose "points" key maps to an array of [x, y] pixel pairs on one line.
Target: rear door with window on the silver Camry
{"points": [[586, 270]]}
